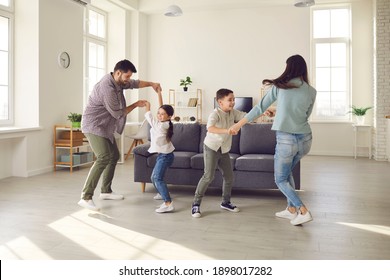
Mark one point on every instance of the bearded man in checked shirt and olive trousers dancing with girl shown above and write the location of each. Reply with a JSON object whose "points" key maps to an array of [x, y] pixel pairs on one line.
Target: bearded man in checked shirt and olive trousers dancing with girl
{"points": [[104, 115]]}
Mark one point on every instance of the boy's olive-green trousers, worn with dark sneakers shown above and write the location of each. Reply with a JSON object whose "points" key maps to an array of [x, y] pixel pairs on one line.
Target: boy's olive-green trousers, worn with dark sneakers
{"points": [[212, 159]]}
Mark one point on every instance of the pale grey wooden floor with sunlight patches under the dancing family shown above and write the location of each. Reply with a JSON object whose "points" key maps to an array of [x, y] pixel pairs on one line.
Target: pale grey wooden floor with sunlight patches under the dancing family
{"points": [[349, 200]]}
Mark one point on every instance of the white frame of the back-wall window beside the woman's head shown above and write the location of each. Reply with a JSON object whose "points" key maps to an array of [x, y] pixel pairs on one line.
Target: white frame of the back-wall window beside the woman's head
{"points": [[332, 40]]}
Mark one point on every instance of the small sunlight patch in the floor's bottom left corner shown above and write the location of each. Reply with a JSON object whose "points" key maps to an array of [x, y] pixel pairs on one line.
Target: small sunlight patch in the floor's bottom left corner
{"points": [[22, 248]]}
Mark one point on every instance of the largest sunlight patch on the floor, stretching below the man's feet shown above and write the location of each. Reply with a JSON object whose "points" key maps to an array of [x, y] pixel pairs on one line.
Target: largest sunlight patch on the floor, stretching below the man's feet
{"points": [[109, 241]]}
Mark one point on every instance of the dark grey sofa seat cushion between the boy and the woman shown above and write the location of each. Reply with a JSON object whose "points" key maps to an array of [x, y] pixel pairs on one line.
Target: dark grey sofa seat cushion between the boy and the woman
{"points": [[255, 162]]}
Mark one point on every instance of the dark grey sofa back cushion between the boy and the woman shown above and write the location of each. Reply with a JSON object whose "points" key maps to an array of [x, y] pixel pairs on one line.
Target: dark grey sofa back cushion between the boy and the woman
{"points": [[257, 139]]}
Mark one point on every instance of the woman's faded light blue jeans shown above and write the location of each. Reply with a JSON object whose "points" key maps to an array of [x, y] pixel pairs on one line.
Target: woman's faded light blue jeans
{"points": [[290, 148]]}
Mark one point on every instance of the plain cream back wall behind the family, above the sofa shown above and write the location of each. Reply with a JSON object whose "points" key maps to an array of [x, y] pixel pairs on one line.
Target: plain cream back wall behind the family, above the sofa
{"points": [[234, 49]]}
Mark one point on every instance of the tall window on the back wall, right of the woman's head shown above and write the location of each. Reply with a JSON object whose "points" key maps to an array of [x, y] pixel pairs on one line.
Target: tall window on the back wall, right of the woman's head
{"points": [[331, 43]]}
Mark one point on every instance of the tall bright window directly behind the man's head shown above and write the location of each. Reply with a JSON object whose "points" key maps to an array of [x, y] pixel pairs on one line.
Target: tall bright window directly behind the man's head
{"points": [[96, 47]]}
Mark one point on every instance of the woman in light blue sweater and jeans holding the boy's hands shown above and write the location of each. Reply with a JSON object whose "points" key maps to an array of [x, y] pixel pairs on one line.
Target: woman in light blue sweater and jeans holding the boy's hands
{"points": [[295, 100]]}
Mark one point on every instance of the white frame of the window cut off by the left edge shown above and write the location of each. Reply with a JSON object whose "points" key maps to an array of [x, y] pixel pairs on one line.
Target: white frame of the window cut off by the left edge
{"points": [[7, 12]]}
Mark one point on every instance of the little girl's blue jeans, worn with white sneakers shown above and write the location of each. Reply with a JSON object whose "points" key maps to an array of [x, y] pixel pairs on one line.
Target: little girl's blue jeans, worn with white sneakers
{"points": [[162, 163]]}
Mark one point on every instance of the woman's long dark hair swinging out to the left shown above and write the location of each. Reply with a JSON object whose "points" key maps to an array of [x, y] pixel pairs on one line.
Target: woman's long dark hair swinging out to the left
{"points": [[295, 67]]}
